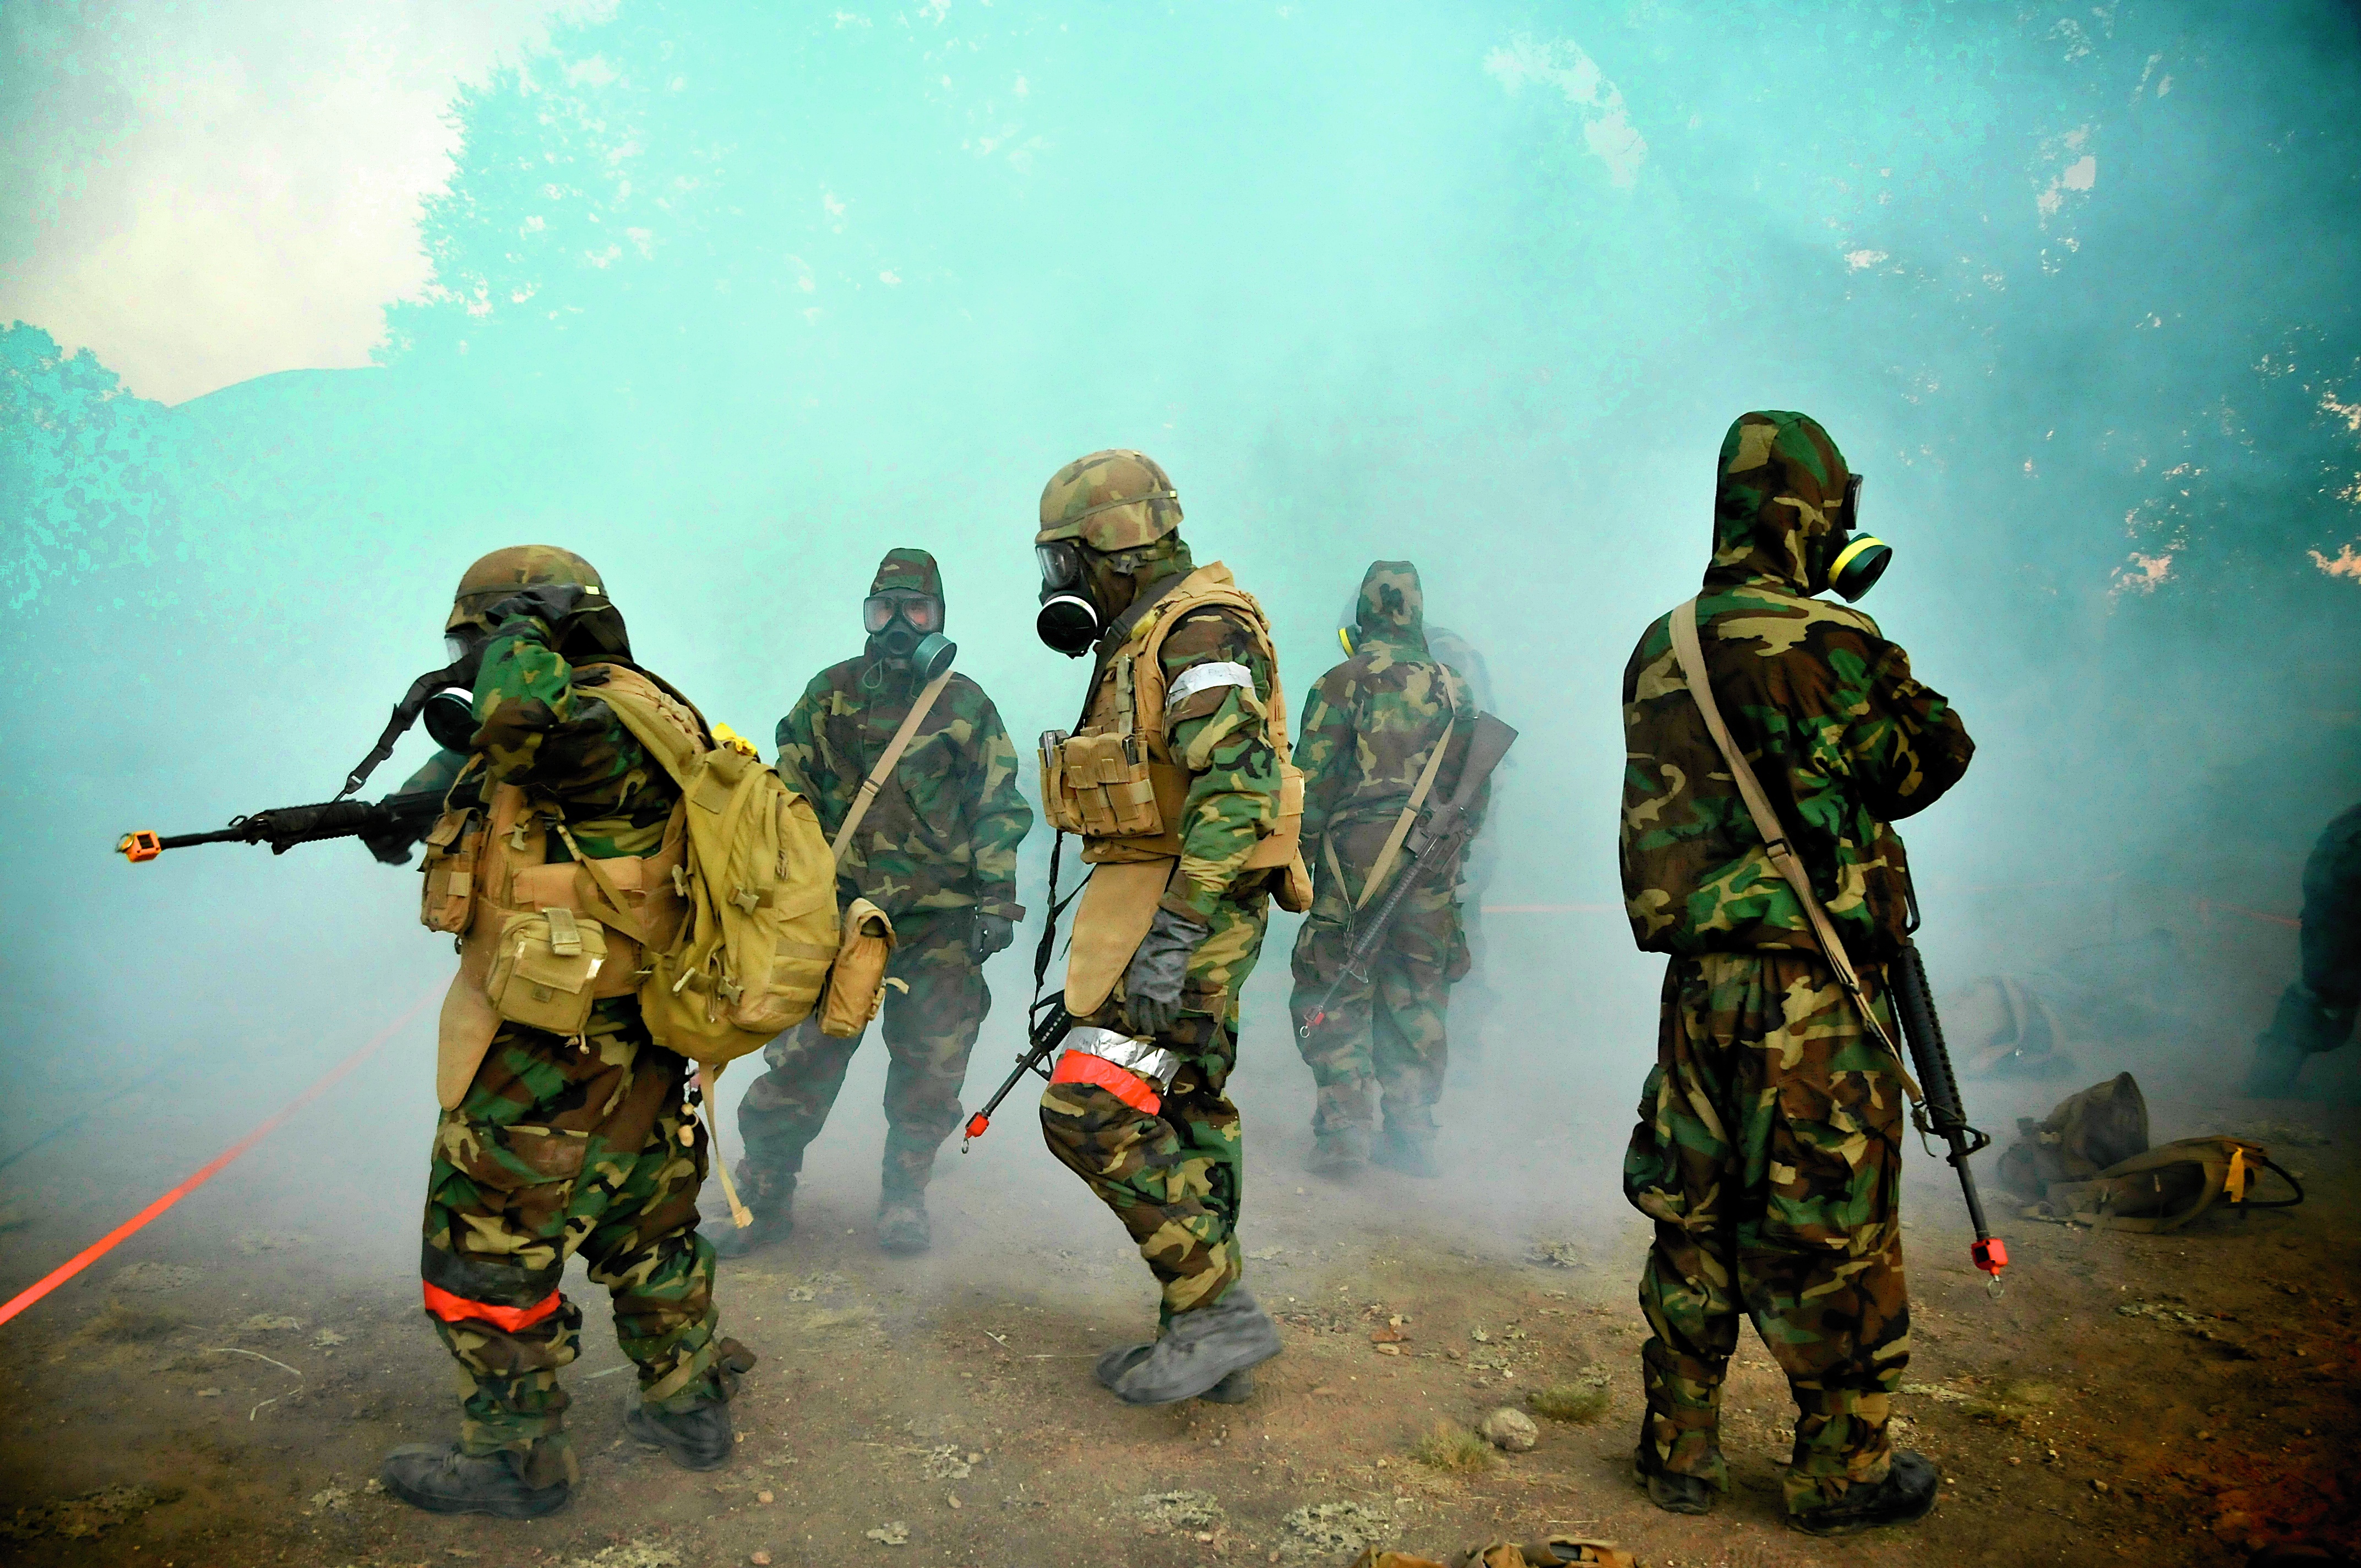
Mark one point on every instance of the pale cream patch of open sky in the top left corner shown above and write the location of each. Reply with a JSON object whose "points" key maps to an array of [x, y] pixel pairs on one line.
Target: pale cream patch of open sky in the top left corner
{"points": [[216, 190]]}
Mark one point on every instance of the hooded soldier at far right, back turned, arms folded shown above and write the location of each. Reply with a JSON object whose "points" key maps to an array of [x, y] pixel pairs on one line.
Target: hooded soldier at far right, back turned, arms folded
{"points": [[1770, 1132]]}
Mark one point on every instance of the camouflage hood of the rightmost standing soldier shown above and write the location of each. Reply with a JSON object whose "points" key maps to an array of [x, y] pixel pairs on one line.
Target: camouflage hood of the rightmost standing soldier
{"points": [[1779, 497]]}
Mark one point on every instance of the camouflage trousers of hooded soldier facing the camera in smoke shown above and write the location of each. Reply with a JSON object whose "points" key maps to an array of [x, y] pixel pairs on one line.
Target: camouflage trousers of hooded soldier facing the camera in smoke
{"points": [[929, 1035]]}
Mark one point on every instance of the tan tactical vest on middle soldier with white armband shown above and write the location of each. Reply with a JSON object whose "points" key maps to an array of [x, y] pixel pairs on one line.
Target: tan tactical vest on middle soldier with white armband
{"points": [[1123, 790]]}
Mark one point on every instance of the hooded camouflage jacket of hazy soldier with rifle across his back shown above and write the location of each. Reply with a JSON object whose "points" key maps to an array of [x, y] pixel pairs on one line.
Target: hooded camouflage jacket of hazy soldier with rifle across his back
{"points": [[1375, 719]]}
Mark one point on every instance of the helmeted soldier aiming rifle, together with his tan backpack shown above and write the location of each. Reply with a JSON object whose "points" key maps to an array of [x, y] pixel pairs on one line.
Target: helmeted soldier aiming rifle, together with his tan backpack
{"points": [[568, 873]]}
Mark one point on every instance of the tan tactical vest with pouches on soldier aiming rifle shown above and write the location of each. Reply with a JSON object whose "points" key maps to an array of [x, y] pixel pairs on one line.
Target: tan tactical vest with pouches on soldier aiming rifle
{"points": [[490, 875]]}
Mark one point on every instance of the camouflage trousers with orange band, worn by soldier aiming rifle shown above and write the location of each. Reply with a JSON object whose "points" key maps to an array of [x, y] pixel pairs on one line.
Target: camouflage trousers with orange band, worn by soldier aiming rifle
{"points": [[565, 1149]]}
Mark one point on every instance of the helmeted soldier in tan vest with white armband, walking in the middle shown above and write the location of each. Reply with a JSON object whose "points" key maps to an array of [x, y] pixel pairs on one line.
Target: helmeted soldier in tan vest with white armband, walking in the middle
{"points": [[1179, 783]]}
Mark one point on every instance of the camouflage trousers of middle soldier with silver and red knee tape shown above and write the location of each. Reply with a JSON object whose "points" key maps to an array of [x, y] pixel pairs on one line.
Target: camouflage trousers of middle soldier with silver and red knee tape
{"points": [[1175, 1177]]}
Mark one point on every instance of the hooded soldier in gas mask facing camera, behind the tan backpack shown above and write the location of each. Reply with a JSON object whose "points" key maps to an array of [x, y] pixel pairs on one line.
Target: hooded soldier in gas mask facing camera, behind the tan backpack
{"points": [[936, 851]]}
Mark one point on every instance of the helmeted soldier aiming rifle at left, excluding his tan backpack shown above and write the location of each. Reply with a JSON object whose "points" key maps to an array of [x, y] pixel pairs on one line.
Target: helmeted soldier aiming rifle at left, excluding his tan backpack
{"points": [[556, 1144]]}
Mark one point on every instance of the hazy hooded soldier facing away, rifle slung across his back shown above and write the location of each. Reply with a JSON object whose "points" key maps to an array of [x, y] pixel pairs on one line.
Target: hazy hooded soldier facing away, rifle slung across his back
{"points": [[1363, 745]]}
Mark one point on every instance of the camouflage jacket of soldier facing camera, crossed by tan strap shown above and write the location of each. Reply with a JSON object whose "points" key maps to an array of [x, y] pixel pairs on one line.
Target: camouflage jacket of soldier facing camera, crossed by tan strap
{"points": [[946, 828]]}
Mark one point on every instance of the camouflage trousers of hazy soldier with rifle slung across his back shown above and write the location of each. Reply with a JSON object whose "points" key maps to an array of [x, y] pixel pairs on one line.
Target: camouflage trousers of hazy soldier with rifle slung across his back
{"points": [[1387, 1031]]}
